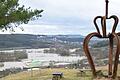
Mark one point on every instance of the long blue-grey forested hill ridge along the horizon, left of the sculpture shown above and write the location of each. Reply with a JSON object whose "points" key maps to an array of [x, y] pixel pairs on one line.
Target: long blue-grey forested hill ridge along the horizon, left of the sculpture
{"points": [[36, 41]]}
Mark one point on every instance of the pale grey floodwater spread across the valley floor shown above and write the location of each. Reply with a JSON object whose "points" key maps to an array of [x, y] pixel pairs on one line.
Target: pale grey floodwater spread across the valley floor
{"points": [[39, 55]]}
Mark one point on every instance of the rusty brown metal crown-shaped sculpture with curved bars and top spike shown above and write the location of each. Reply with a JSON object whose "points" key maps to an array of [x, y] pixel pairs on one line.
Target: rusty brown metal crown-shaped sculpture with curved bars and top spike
{"points": [[112, 67]]}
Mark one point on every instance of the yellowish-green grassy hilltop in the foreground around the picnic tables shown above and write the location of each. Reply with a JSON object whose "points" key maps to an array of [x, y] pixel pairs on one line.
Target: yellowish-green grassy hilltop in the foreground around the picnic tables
{"points": [[46, 74]]}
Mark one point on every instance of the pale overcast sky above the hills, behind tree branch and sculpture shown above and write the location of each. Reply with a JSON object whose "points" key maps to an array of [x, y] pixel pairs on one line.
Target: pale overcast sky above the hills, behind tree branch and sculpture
{"points": [[67, 16]]}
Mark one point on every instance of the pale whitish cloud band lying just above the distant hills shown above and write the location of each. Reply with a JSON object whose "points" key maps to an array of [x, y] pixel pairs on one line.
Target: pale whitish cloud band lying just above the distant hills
{"points": [[48, 30]]}
